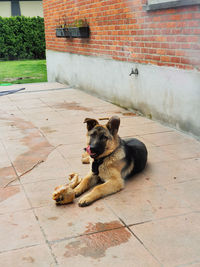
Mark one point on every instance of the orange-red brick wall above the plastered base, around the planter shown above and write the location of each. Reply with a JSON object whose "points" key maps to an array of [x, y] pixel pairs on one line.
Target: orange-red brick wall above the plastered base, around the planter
{"points": [[123, 30]]}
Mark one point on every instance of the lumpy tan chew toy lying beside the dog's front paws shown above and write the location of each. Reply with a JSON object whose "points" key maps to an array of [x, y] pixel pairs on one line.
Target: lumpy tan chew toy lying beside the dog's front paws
{"points": [[65, 194]]}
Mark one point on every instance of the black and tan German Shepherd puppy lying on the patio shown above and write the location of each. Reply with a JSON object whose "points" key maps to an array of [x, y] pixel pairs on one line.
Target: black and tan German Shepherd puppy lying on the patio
{"points": [[114, 160]]}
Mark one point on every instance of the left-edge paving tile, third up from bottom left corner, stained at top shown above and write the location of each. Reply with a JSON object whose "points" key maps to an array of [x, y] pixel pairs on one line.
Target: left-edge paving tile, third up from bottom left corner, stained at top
{"points": [[12, 198]]}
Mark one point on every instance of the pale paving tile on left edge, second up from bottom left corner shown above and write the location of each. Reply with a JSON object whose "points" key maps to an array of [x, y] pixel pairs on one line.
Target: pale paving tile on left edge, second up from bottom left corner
{"points": [[18, 230]]}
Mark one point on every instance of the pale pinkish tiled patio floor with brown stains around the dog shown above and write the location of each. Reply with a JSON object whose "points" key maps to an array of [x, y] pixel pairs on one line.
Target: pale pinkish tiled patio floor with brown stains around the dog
{"points": [[154, 221]]}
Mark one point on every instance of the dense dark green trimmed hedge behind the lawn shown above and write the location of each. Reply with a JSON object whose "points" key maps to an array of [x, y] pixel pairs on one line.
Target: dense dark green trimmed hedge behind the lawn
{"points": [[22, 38]]}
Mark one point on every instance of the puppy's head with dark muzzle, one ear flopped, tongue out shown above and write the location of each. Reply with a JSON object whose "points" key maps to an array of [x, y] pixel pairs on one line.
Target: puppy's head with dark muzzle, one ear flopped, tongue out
{"points": [[102, 139]]}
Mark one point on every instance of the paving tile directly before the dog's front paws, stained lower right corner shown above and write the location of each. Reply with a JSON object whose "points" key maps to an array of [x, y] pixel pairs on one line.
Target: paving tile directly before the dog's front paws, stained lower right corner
{"points": [[59, 222]]}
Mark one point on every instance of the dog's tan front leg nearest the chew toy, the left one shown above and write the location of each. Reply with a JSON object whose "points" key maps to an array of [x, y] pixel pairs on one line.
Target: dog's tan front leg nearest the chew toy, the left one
{"points": [[86, 183]]}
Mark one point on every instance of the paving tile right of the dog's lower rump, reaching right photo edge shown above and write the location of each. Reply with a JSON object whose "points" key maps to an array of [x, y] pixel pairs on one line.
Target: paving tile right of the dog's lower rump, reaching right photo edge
{"points": [[173, 171]]}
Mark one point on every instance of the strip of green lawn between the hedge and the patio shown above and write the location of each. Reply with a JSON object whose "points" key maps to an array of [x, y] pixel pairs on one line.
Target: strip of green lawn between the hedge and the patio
{"points": [[23, 71]]}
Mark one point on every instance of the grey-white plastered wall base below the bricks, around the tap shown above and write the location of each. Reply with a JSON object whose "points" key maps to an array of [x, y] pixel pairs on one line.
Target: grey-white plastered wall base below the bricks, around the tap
{"points": [[166, 94]]}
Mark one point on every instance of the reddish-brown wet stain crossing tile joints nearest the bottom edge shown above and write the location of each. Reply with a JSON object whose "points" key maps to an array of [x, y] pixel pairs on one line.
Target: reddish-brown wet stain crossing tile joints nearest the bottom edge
{"points": [[95, 245]]}
